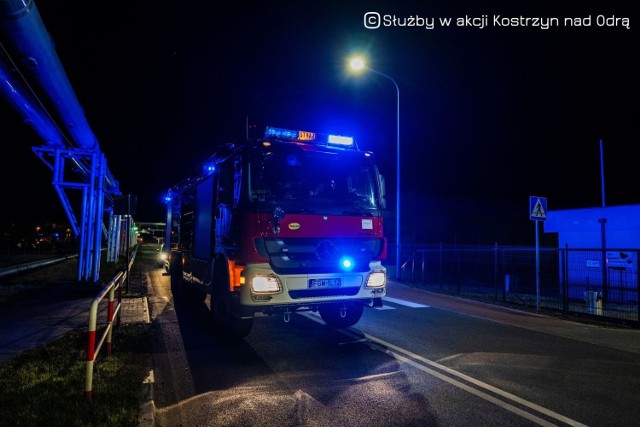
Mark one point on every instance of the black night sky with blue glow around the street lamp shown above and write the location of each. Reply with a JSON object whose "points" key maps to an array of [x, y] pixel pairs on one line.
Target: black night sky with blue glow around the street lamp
{"points": [[489, 116]]}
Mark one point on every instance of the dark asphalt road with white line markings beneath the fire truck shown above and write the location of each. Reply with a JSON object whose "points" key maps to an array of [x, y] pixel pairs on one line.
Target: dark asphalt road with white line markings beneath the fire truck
{"points": [[421, 360]]}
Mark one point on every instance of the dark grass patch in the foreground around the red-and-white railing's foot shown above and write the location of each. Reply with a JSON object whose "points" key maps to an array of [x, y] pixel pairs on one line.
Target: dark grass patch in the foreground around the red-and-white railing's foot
{"points": [[45, 386]]}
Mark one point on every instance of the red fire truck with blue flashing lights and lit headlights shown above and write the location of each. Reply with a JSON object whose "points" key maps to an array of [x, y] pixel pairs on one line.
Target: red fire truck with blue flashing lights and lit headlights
{"points": [[289, 222]]}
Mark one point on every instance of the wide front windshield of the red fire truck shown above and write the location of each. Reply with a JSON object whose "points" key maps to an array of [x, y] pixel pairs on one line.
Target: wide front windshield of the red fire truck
{"points": [[314, 179]]}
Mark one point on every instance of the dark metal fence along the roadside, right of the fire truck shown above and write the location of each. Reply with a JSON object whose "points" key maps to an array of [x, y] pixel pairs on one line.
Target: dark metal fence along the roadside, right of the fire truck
{"points": [[593, 282]]}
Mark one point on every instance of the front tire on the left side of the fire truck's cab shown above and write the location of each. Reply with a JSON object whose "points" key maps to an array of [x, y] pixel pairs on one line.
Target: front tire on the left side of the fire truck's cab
{"points": [[227, 320]]}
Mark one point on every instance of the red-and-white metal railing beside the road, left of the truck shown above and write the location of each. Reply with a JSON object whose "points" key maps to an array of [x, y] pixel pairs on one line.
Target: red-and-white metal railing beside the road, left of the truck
{"points": [[113, 312]]}
